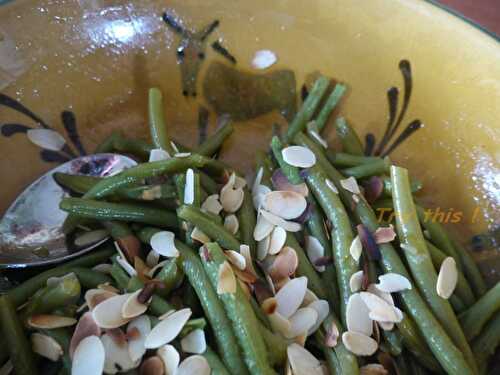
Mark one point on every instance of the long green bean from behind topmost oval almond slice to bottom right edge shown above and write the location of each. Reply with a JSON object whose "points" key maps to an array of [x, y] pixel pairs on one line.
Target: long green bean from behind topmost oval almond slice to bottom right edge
{"points": [[440, 344]]}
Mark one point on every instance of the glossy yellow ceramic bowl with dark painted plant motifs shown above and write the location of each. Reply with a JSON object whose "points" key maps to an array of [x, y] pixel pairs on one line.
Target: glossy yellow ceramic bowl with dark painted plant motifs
{"points": [[97, 59]]}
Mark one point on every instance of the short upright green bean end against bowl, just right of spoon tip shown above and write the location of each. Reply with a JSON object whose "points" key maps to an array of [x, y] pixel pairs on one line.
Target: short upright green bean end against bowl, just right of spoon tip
{"points": [[157, 125]]}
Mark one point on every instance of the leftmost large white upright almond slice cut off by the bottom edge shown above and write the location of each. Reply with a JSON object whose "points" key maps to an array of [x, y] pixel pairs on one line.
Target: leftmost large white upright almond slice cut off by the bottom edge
{"points": [[88, 358]]}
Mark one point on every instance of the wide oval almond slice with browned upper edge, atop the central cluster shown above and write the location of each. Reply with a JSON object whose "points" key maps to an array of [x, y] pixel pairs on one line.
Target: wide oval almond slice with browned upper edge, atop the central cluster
{"points": [[285, 204]]}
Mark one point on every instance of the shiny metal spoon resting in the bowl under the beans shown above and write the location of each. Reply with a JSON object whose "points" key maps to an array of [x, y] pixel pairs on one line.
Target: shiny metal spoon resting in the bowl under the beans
{"points": [[31, 229]]}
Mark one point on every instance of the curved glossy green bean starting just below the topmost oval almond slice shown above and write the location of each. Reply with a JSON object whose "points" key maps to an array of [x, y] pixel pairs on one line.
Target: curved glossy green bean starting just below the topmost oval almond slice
{"points": [[342, 235]]}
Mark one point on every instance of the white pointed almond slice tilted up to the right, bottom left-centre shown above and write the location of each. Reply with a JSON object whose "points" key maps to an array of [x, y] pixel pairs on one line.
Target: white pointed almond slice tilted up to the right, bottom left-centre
{"points": [[167, 329]]}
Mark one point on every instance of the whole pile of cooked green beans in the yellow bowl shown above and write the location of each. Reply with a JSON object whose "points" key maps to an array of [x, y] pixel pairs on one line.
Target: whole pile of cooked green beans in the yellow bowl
{"points": [[433, 335]]}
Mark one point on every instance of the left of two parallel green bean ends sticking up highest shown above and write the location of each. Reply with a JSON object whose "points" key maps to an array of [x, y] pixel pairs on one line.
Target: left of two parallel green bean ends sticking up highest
{"points": [[308, 108]]}
